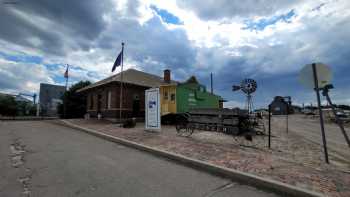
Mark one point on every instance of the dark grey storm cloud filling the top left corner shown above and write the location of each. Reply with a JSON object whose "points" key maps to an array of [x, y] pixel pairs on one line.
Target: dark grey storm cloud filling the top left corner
{"points": [[47, 25]]}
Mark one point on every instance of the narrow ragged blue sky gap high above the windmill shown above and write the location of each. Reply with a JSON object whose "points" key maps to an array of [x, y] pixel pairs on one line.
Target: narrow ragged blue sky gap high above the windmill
{"points": [[264, 22]]}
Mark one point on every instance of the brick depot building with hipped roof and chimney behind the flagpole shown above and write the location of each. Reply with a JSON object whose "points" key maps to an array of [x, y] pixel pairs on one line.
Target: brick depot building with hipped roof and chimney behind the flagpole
{"points": [[104, 96]]}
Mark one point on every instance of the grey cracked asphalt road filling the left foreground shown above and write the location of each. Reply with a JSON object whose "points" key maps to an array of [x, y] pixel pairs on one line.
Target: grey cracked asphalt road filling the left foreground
{"points": [[43, 159]]}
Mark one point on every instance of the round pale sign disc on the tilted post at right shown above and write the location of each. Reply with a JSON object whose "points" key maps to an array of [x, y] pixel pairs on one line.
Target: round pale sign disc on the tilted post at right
{"points": [[324, 75]]}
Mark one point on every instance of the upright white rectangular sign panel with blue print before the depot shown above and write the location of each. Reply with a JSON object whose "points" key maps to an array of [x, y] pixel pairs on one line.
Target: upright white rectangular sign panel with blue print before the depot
{"points": [[152, 105]]}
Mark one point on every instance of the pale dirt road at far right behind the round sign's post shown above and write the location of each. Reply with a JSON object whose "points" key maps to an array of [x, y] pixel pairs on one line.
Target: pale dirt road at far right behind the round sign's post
{"points": [[311, 130]]}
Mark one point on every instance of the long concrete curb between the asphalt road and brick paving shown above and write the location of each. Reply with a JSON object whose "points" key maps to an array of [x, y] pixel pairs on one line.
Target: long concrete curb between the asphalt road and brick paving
{"points": [[249, 179]]}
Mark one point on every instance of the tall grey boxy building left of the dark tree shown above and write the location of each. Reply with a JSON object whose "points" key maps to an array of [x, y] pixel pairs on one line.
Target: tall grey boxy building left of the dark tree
{"points": [[50, 96]]}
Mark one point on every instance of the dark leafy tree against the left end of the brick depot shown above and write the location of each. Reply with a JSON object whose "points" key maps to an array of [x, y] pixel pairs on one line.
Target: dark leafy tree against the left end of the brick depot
{"points": [[73, 102]]}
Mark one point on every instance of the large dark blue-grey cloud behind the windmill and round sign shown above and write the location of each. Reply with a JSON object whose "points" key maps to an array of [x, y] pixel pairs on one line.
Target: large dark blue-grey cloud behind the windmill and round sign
{"points": [[275, 62]]}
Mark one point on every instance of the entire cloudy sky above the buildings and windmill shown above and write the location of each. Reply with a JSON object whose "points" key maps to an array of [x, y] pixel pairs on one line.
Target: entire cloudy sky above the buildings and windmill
{"points": [[268, 41]]}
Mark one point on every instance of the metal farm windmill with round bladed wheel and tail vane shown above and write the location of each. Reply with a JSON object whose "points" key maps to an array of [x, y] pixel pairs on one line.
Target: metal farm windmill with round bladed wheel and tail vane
{"points": [[248, 86]]}
